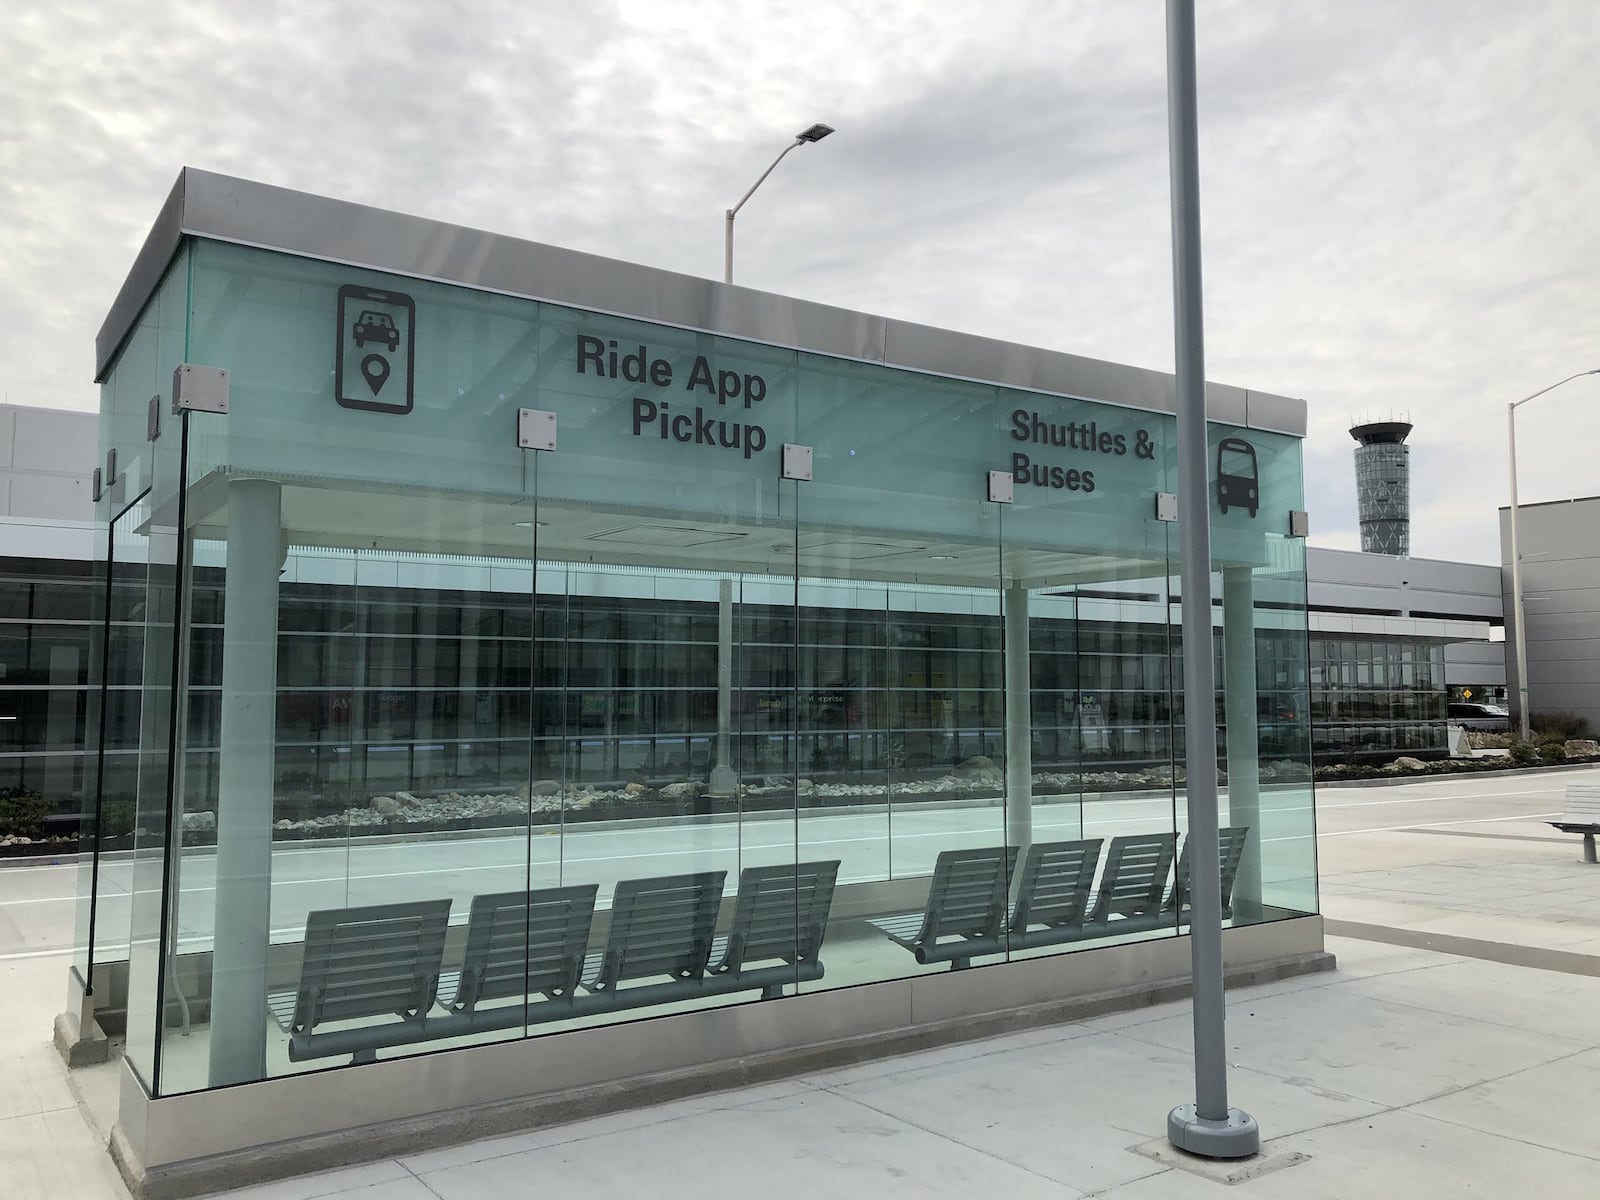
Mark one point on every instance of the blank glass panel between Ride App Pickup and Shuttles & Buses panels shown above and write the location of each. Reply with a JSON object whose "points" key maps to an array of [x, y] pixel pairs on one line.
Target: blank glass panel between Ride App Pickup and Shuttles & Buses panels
{"points": [[902, 673]]}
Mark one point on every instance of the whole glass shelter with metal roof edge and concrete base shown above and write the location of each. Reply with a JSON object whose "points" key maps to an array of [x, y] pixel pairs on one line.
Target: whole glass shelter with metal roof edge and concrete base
{"points": [[569, 671]]}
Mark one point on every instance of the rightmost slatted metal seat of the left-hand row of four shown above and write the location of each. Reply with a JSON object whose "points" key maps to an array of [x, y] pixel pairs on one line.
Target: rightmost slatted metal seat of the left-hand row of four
{"points": [[782, 914]]}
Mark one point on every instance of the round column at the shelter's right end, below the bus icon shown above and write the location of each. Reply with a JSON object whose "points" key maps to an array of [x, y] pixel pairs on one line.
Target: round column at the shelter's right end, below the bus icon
{"points": [[1244, 750]]}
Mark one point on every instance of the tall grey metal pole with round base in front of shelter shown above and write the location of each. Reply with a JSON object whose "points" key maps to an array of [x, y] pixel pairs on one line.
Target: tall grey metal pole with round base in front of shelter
{"points": [[1207, 1127]]}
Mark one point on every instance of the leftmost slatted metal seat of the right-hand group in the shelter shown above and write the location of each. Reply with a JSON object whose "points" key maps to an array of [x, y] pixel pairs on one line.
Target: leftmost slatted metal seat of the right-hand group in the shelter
{"points": [[966, 914]]}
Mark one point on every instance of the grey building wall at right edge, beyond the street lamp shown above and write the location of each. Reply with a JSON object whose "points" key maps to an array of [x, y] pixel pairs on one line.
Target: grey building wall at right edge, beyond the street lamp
{"points": [[1561, 586]]}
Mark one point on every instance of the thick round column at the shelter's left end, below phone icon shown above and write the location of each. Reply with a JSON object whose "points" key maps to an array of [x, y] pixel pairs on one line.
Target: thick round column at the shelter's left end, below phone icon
{"points": [[244, 831]]}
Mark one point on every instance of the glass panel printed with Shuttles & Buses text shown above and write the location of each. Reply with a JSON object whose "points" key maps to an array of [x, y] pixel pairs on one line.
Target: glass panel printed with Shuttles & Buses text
{"points": [[1087, 562]]}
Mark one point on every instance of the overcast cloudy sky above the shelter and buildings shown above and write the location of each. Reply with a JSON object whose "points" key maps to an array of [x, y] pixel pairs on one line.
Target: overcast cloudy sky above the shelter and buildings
{"points": [[1401, 198]]}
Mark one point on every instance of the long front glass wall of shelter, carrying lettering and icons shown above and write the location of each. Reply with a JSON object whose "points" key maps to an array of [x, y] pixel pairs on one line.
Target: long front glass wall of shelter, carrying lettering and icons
{"points": [[479, 742]]}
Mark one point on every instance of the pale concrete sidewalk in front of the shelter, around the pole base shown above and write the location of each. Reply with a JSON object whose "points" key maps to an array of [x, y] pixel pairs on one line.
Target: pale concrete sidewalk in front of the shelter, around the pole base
{"points": [[1407, 1073]]}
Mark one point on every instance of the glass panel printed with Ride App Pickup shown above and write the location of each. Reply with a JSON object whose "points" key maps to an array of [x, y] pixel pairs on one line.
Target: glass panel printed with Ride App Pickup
{"points": [[666, 666]]}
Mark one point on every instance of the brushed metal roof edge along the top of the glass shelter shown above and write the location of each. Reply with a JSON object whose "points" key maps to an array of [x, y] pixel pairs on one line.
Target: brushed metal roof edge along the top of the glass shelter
{"points": [[313, 226]]}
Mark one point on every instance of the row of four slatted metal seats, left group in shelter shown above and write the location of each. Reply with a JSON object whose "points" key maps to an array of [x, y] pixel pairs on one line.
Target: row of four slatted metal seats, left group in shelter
{"points": [[524, 945]]}
